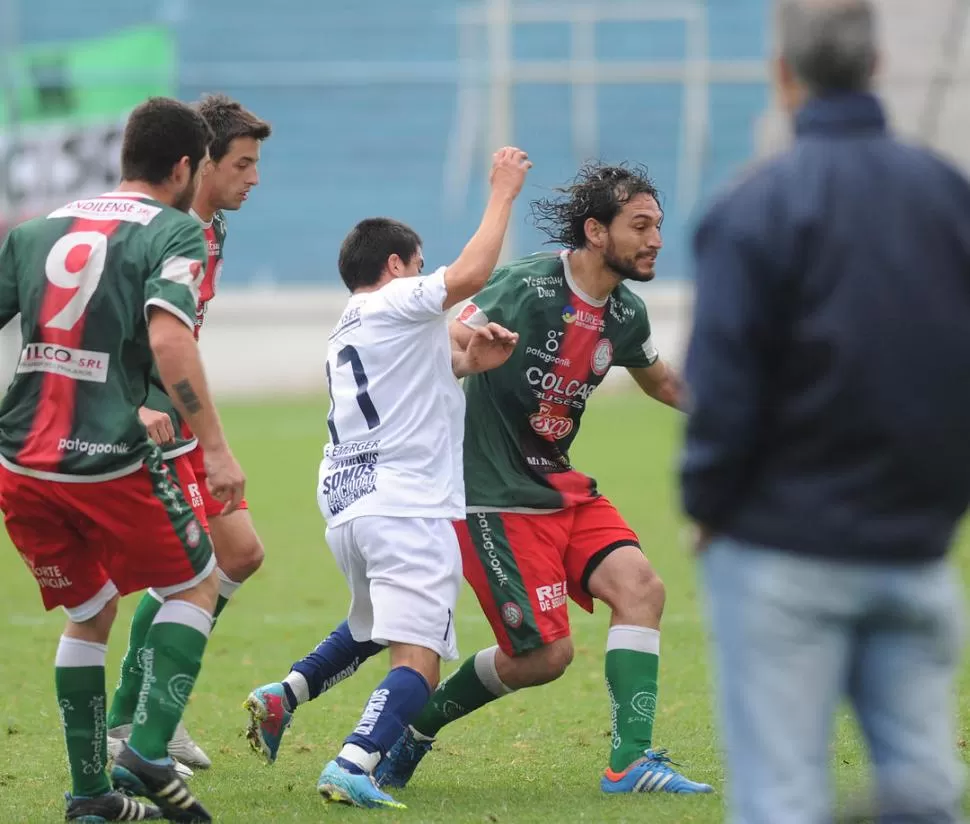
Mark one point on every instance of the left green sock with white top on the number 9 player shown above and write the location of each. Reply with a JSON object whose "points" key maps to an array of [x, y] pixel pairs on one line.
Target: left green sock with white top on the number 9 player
{"points": [[79, 682]]}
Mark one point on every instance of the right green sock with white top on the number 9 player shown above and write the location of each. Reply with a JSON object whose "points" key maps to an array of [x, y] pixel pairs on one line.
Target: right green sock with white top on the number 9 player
{"points": [[172, 660]]}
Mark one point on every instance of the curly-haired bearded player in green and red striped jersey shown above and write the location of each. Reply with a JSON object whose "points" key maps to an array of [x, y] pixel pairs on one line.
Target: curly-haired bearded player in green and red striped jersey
{"points": [[537, 531]]}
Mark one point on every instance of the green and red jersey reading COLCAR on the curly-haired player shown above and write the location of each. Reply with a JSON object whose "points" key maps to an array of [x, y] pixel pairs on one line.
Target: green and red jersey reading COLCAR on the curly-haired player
{"points": [[521, 418]]}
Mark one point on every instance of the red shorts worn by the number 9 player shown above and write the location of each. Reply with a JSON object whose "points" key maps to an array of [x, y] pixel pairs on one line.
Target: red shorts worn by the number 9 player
{"points": [[85, 541]]}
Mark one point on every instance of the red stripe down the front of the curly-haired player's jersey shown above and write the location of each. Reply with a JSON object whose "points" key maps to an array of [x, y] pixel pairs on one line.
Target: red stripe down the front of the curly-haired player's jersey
{"points": [[579, 341]]}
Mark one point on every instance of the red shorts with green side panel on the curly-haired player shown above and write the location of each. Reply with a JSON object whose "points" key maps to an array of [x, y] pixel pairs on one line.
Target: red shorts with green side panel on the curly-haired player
{"points": [[523, 566]]}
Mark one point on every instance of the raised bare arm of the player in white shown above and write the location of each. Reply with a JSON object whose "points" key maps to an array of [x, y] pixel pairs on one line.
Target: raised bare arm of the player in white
{"points": [[471, 271]]}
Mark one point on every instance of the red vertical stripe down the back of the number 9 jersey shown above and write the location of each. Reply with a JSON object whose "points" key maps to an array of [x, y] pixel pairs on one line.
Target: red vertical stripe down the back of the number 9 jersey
{"points": [[54, 418]]}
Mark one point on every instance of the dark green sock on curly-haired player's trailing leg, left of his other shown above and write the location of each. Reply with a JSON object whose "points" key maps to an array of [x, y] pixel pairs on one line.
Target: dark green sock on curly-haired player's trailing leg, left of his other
{"points": [[474, 684]]}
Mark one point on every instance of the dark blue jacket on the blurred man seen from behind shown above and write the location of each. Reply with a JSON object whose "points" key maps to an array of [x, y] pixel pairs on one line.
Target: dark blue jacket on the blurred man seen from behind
{"points": [[829, 366]]}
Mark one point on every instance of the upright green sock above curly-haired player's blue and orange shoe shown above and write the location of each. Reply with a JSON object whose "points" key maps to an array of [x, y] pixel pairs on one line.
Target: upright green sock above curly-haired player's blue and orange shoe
{"points": [[632, 666]]}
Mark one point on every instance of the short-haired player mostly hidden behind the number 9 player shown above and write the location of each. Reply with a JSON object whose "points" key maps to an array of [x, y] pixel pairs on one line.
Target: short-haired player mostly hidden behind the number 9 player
{"points": [[227, 178]]}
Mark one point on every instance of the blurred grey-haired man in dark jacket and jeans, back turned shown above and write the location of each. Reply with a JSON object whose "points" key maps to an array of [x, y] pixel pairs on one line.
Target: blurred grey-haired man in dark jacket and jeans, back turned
{"points": [[827, 460]]}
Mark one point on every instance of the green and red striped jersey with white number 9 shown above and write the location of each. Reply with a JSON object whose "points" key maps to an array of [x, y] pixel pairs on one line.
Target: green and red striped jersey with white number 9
{"points": [[83, 280]]}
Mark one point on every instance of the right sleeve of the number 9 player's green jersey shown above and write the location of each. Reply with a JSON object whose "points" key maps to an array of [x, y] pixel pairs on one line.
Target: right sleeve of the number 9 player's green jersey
{"points": [[173, 285]]}
